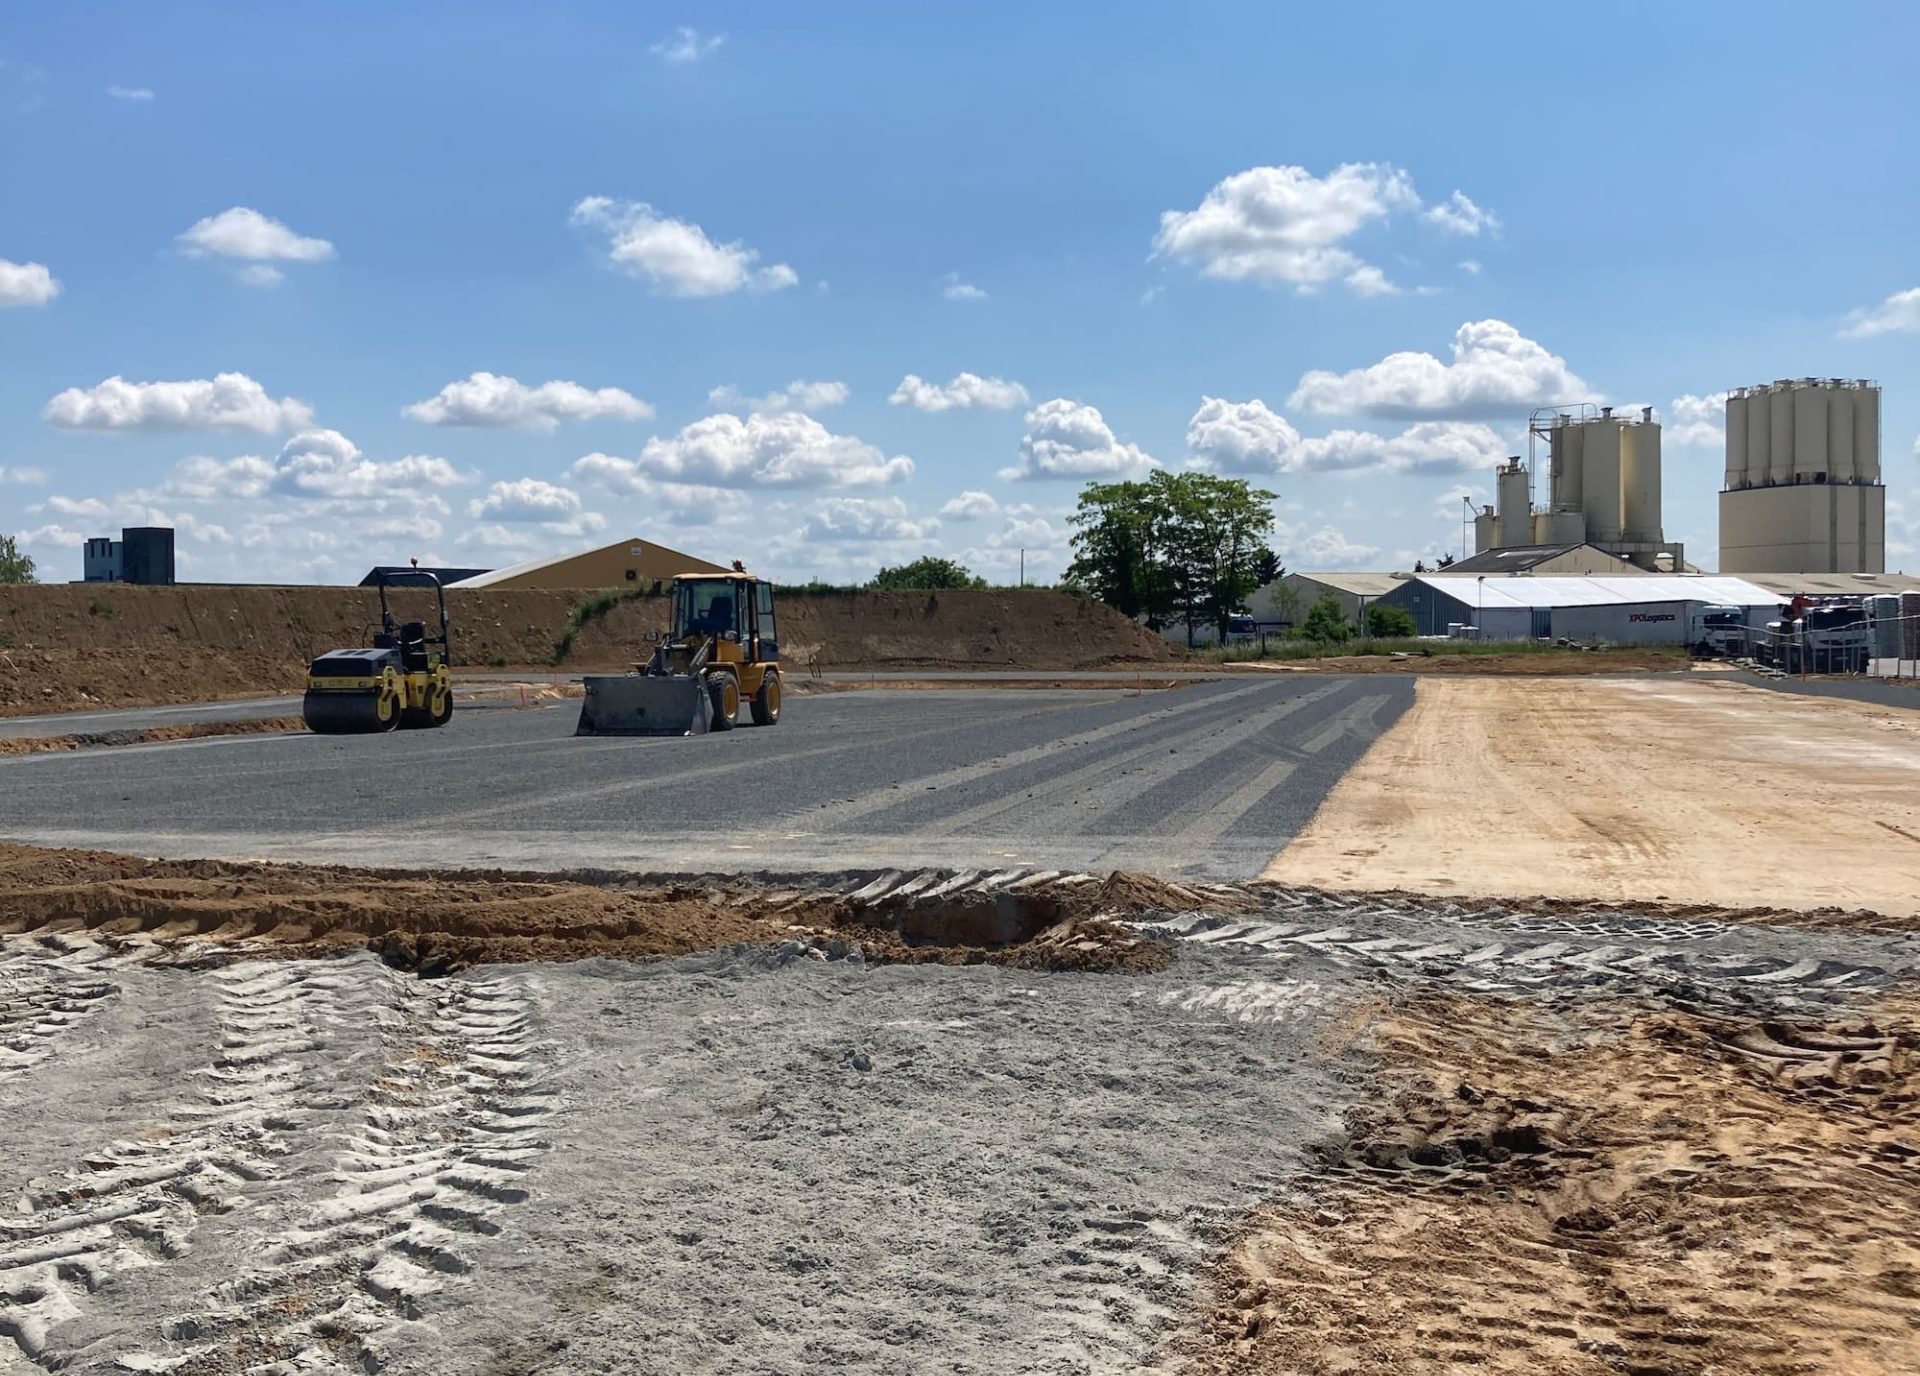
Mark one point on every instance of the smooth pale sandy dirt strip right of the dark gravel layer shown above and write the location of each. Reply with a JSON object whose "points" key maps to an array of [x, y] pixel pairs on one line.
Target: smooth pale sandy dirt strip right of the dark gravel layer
{"points": [[1683, 792]]}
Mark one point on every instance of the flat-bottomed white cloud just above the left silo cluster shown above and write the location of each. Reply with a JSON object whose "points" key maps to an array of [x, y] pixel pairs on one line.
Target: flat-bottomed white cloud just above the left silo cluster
{"points": [[1497, 371]]}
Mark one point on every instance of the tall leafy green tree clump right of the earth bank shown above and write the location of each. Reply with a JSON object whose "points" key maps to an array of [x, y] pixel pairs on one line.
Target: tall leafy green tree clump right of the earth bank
{"points": [[1172, 548]]}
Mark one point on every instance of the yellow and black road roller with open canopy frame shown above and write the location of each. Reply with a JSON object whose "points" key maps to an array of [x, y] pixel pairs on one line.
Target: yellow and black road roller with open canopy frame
{"points": [[402, 680]]}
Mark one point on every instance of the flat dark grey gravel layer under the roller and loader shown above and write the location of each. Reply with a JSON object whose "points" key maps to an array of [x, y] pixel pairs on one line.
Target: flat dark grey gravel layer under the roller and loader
{"points": [[1207, 780]]}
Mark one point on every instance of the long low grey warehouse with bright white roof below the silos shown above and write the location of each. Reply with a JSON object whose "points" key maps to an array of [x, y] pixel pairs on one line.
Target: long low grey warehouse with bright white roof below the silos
{"points": [[1641, 609]]}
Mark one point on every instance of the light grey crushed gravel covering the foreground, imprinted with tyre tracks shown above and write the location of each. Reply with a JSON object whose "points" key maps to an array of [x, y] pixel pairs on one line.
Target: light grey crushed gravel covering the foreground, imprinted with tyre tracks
{"points": [[767, 1158]]}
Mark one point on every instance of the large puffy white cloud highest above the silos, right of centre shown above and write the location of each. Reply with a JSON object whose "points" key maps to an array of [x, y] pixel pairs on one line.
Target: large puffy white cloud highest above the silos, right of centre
{"points": [[1287, 225]]}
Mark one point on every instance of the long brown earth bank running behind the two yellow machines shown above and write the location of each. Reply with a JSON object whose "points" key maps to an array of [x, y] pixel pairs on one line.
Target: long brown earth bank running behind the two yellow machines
{"points": [[91, 646]]}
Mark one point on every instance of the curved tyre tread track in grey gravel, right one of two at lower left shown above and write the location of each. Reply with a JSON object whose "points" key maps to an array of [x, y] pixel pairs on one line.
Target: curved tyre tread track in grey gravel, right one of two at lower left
{"points": [[444, 1147]]}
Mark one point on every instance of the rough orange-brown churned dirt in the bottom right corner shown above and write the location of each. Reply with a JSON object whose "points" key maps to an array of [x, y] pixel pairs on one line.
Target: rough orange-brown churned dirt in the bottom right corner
{"points": [[1596, 1193]]}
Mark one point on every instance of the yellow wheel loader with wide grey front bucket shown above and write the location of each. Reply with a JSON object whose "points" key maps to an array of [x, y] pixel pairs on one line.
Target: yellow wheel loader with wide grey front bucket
{"points": [[719, 661]]}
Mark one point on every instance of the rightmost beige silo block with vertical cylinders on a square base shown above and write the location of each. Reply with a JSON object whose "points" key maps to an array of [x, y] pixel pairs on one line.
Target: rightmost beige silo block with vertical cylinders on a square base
{"points": [[1804, 490]]}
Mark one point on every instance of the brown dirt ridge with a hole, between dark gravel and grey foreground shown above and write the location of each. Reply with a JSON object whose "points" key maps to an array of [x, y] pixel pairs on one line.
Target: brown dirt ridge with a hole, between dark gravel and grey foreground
{"points": [[444, 922]]}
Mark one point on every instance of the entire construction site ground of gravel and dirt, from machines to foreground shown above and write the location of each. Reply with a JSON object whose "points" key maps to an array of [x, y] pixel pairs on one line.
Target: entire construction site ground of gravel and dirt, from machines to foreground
{"points": [[836, 1047]]}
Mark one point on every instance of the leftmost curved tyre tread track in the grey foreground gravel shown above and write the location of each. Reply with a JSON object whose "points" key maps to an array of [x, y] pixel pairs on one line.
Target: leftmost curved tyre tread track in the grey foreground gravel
{"points": [[139, 1202]]}
